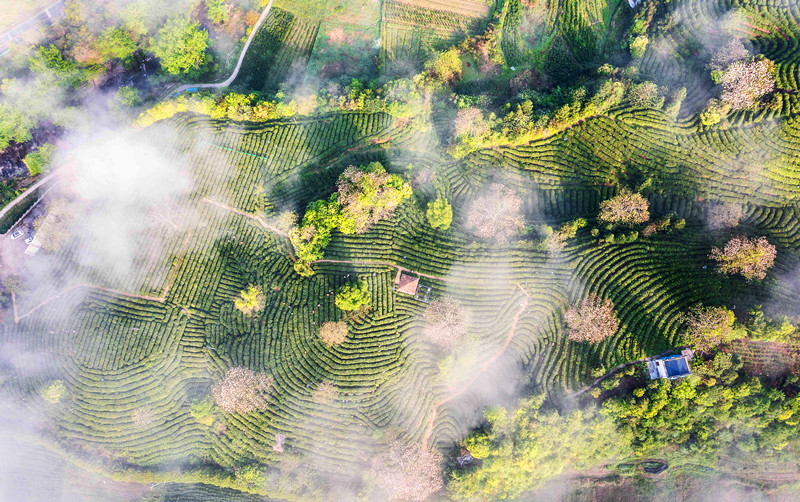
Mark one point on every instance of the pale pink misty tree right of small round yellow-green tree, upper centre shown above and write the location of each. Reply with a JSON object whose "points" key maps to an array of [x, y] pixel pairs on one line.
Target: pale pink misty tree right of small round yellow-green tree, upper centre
{"points": [[498, 214]]}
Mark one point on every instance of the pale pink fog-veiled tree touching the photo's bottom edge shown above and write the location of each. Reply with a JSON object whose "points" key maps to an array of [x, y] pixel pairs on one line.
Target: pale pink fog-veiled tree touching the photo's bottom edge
{"points": [[408, 471]]}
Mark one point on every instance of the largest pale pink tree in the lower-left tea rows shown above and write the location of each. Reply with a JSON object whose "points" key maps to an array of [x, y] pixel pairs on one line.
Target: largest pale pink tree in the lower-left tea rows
{"points": [[242, 391]]}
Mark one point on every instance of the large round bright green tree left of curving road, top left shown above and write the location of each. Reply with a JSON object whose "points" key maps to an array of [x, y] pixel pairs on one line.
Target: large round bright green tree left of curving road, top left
{"points": [[181, 46]]}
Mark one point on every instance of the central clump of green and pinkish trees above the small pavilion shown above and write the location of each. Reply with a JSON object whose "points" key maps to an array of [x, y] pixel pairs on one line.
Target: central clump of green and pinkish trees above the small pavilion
{"points": [[364, 196]]}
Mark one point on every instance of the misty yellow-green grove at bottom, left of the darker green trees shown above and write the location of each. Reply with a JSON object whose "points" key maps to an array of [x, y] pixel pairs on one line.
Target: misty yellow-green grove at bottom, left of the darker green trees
{"points": [[522, 449]]}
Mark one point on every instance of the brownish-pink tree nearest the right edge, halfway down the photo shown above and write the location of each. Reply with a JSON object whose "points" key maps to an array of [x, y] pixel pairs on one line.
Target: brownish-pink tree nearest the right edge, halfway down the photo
{"points": [[749, 257]]}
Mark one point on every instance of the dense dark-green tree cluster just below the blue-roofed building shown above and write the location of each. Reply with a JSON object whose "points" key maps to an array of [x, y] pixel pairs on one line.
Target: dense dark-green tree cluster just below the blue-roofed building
{"points": [[717, 409]]}
